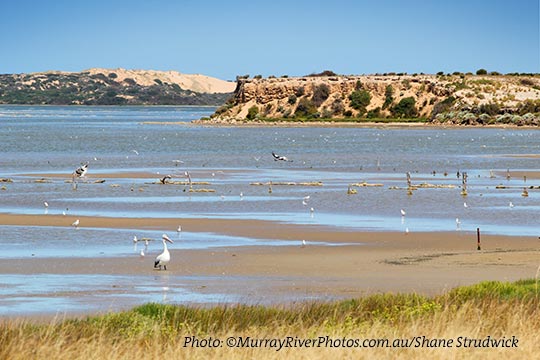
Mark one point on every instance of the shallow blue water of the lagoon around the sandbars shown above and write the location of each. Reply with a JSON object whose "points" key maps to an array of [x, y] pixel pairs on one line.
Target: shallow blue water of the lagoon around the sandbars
{"points": [[55, 140]]}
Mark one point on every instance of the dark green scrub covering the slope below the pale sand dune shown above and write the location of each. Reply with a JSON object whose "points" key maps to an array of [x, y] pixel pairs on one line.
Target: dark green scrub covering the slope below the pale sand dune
{"points": [[99, 89]]}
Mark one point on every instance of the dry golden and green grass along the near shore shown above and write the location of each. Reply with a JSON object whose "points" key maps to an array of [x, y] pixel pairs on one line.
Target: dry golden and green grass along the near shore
{"points": [[507, 311]]}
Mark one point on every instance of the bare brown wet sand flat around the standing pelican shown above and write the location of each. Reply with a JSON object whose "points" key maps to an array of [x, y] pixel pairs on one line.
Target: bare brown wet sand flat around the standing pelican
{"points": [[426, 263]]}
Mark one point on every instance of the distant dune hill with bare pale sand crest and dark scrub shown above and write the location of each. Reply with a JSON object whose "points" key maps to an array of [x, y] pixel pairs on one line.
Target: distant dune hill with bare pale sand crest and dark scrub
{"points": [[113, 87]]}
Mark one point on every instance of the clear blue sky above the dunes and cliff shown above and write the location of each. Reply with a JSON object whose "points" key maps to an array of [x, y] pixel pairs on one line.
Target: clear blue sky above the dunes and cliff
{"points": [[273, 37]]}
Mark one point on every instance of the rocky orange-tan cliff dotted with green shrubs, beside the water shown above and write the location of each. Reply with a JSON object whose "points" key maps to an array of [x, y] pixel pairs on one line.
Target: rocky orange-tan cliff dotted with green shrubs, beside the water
{"points": [[424, 96]]}
